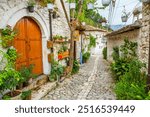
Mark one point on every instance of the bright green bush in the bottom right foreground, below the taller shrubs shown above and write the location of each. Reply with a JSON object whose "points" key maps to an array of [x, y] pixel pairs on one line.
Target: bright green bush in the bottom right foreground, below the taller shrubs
{"points": [[132, 84]]}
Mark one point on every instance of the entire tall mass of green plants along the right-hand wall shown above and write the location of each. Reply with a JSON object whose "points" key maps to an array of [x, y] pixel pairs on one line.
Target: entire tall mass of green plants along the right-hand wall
{"points": [[130, 80]]}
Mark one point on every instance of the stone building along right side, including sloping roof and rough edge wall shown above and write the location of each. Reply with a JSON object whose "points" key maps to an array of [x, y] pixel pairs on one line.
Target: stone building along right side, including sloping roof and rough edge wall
{"points": [[139, 32]]}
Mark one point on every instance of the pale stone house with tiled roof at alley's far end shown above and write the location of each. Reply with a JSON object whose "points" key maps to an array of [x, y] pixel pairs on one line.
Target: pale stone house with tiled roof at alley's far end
{"points": [[84, 37]]}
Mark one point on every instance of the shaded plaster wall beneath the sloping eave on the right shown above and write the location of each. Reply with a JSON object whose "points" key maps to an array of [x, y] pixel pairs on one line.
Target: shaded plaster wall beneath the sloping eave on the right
{"points": [[118, 40]]}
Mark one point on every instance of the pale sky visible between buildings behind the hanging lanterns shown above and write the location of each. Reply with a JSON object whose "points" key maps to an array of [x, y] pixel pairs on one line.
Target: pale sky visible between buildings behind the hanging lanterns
{"points": [[115, 17]]}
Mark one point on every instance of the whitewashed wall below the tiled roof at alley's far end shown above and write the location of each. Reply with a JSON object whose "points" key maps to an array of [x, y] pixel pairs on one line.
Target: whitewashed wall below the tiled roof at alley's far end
{"points": [[99, 45]]}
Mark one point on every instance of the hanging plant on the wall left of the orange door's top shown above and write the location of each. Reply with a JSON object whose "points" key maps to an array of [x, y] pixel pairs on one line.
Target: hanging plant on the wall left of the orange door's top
{"points": [[7, 36]]}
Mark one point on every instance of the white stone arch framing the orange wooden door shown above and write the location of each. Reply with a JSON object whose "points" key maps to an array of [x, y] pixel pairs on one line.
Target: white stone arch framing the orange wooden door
{"points": [[12, 16]]}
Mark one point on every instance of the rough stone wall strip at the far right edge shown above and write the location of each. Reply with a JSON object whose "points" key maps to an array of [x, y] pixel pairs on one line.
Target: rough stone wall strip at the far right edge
{"points": [[145, 36]]}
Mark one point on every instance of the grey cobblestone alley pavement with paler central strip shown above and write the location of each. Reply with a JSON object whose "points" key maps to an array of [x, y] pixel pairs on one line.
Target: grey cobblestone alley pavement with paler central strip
{"points": [[91, 83]]}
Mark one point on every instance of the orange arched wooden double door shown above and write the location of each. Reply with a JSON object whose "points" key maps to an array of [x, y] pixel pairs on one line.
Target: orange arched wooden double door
{"points": [[28, 44]]}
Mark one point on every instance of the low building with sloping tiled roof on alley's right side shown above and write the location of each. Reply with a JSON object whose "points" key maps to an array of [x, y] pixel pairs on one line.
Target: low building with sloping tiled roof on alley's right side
{"points": [[116, 38]]}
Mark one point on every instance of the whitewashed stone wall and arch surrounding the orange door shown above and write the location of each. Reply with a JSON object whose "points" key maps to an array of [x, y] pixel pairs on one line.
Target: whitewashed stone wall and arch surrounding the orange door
{"points": [[11, 11]]}
